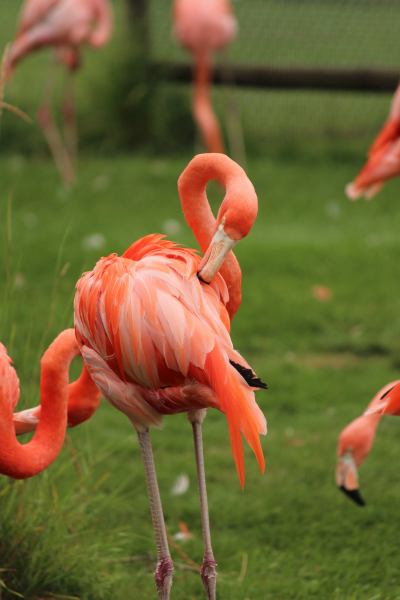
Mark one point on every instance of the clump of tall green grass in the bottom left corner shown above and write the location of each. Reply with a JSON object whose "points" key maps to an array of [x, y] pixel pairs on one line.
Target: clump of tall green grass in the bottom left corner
{"points": [[49, 544]]}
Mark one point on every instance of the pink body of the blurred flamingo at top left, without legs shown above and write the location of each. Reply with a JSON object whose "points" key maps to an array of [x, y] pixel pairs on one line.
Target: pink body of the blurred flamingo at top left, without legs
{"points": [[64, 24]]}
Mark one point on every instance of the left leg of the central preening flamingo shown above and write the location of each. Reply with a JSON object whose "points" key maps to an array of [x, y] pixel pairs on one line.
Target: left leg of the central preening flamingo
{"points": [[165, 567]]}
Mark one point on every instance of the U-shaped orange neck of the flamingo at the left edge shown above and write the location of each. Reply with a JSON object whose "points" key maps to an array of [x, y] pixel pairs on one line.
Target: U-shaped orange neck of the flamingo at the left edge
{"points": [[22, 461]]}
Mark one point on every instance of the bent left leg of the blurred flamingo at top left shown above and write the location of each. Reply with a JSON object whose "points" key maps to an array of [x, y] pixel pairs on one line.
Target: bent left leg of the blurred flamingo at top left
{"points": [[51, 133]]}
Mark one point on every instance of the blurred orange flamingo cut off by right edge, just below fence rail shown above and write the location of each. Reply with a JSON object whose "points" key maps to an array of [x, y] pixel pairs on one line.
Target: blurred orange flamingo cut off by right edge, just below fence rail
{"points": [[383, 157]]}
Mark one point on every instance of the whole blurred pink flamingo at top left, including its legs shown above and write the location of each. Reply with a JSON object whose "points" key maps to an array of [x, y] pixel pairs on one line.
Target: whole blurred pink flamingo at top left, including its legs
{"points": [[65, 25]]}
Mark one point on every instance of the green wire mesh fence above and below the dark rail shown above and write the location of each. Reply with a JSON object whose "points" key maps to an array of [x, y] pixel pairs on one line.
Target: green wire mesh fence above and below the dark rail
{"points": [[295, 34]]}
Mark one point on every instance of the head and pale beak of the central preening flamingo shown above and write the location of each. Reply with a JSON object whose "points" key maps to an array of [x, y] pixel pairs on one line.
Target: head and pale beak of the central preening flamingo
{"points": [[235, 218]]}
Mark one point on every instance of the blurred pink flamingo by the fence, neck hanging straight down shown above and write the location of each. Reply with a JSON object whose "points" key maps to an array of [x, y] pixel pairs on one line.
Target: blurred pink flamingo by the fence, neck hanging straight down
{"points": [[202, 27]]}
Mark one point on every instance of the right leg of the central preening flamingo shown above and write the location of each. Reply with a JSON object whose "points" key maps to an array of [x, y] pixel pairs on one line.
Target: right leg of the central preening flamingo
{"points": [[208, 572]]}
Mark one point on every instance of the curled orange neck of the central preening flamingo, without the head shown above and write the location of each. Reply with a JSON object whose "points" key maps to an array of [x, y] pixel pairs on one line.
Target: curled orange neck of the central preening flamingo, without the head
{"points": [[196, 209]]}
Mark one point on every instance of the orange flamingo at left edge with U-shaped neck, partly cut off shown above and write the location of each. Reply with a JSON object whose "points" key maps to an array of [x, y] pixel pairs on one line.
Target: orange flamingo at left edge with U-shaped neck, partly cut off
{"points": [[22, 461]]}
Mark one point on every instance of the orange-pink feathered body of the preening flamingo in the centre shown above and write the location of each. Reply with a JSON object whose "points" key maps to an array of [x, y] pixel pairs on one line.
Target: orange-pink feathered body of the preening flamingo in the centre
{"points": [[145, 322]]}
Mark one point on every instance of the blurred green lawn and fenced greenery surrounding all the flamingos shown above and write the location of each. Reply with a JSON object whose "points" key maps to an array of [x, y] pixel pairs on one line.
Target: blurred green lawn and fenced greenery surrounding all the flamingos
{"points": [[291, 534]]}
